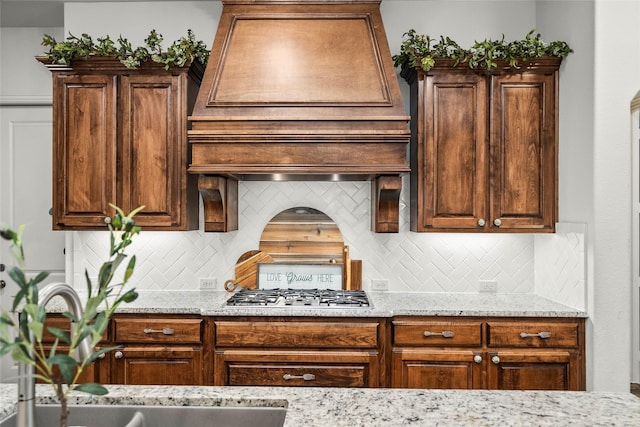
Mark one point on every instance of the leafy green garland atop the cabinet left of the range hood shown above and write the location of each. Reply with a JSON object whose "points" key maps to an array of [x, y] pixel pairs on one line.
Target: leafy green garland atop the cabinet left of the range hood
{"points": [[180, 53]]}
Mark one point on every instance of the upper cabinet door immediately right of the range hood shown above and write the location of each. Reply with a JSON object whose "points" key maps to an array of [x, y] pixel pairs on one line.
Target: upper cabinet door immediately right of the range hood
{"points": [[453, 159]]}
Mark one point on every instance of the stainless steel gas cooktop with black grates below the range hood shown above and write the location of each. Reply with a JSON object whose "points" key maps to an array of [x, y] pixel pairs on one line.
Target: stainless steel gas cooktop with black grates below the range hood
{"points": [[301, 298]]}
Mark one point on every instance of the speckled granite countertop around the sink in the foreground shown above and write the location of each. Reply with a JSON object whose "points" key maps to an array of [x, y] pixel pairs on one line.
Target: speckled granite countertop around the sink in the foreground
{"points": [[321, 407]]}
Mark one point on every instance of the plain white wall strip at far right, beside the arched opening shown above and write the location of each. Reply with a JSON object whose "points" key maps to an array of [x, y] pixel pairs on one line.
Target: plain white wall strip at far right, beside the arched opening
{"points": [[617, 79]]}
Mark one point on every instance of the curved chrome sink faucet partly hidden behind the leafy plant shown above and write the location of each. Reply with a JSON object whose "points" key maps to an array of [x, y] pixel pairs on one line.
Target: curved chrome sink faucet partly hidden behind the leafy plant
{"points": [[26, 372]]}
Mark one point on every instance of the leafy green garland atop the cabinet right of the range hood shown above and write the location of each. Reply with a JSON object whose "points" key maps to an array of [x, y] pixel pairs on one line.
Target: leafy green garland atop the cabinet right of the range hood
{"points": [[421, 51]]}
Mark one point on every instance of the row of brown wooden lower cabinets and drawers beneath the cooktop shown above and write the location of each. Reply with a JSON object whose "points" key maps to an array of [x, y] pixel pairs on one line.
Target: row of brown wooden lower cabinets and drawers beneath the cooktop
{"points": [[430, 352]]}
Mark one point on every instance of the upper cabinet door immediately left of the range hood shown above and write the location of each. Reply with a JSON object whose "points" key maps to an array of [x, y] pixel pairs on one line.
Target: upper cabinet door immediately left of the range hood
{"points": [[153, 154]]}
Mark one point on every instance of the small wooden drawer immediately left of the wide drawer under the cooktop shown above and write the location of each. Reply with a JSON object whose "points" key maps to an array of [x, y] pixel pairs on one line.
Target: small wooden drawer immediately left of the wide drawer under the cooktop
{"points": [[185, 331]]}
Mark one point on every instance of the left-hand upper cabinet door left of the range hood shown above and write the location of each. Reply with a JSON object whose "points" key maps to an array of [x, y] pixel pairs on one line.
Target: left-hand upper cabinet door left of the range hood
{"points": [[84, 153]]}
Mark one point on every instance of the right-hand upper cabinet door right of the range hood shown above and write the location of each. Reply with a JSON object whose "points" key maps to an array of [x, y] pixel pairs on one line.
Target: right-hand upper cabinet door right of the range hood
{"points": [[523, 189]]}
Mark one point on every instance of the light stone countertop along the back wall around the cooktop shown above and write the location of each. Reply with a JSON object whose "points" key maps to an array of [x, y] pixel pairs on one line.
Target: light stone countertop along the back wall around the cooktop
{"points": [[384, 304]]}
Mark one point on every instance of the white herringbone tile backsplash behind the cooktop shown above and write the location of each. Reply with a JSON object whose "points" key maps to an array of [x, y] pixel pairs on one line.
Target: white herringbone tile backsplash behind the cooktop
{"points": [[423, 262]]}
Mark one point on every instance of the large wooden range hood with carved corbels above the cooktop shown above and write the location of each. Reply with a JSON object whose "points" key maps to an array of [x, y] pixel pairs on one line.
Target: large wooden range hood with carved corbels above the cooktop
{"points": [[299, 90]]}
